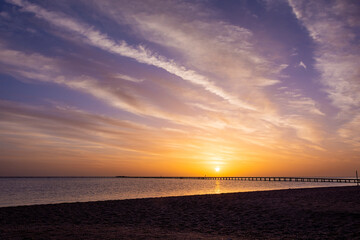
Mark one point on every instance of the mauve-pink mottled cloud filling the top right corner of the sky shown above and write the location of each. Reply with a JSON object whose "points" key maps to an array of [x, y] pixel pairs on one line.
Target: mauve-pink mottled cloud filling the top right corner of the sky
{"points": [[337, 53]]}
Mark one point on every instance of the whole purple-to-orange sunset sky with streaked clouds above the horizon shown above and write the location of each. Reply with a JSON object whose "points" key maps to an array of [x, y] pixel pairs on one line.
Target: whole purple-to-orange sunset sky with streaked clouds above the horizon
{"points": [[179, 88]]}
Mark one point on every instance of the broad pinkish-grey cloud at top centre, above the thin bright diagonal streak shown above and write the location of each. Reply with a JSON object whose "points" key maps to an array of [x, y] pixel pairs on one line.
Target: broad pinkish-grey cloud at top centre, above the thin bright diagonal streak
{"points": [[225, 51]]}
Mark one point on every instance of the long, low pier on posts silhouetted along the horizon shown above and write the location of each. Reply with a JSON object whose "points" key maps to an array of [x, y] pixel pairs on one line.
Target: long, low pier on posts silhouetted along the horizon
{"points": [[270, 179]]}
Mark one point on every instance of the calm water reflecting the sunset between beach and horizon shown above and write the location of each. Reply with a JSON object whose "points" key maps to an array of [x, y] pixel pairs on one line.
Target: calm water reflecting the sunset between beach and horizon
{"points": [[28, 191]]}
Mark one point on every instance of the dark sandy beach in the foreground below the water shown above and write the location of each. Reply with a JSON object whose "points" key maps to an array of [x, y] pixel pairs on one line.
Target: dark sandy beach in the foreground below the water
{"points": [[316, 213]]}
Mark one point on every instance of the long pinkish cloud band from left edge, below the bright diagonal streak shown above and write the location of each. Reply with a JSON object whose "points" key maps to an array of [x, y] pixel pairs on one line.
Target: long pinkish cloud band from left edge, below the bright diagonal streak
{"points": [[141, 102]]}
